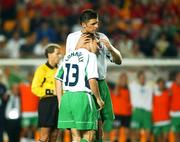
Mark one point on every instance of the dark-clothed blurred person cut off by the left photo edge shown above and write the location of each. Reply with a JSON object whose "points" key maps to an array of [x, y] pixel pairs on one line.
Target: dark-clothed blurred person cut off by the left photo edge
{"points": [[3, 99]]}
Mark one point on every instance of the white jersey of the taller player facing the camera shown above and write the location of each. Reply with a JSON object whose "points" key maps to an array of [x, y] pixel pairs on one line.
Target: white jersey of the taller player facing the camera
{"points": [[72, 41]]}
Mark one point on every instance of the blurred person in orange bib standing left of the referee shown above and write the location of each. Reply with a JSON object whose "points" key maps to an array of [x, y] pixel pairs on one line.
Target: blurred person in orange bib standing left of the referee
{"points": [[29, 106]]}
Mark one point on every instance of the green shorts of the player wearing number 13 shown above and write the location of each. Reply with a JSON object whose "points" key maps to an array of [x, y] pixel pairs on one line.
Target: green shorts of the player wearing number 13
{"points": [[77, 110]]}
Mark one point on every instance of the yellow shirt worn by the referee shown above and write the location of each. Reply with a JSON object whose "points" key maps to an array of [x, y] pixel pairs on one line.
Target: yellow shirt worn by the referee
{"points": [[43, 83]]}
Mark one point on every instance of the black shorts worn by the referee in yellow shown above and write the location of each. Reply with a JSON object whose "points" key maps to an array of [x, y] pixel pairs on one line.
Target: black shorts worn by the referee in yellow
{"points": [[48, 112]]}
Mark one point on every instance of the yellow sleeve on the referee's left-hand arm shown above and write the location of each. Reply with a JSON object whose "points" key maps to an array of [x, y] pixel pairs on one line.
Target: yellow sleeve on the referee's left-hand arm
{"points": [[37, 82]]}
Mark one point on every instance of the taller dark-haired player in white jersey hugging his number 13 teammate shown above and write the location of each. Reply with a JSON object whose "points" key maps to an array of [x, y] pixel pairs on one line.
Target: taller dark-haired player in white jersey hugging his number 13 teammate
{"points": [[90, 23]]}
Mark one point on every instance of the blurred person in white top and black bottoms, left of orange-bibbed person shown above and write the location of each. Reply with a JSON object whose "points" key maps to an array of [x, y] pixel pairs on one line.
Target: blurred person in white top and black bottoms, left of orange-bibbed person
{"points": [[13, 114]]}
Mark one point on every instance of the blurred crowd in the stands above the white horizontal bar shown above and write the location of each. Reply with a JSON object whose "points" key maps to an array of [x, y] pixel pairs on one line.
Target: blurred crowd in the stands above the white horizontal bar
{"points": [[138, 28]]}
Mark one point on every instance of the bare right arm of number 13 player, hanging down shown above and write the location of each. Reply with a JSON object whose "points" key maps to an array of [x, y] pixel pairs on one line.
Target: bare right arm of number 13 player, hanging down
{"points": [[94, 87]]}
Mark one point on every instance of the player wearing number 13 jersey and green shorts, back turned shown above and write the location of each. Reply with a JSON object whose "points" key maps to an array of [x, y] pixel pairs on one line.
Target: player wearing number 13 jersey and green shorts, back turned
{"points": [[77, 77]]}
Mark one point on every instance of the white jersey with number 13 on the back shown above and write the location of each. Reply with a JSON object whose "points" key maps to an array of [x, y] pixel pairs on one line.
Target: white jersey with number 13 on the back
{"points": [[76, 69]]}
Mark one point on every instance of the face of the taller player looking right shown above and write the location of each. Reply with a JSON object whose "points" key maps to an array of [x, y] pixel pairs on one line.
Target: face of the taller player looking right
{"points": [[91, 26]]}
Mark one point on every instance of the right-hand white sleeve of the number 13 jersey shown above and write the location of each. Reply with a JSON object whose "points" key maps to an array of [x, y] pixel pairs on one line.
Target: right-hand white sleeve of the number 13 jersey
{"points": [[92, 71]]}
